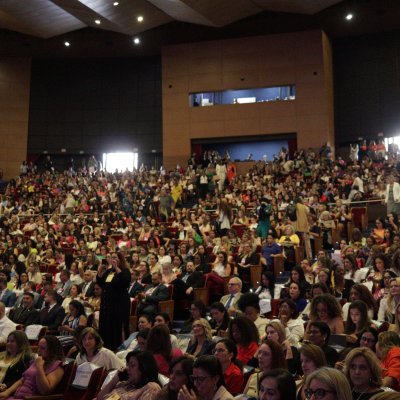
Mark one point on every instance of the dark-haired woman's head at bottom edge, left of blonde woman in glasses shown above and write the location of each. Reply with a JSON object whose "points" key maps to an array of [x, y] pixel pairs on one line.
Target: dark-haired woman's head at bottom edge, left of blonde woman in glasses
{"points": [[280, 382]]}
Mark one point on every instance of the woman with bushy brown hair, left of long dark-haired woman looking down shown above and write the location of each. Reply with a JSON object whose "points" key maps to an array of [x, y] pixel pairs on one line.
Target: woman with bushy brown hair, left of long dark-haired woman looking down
{"points": [[326, 308]]}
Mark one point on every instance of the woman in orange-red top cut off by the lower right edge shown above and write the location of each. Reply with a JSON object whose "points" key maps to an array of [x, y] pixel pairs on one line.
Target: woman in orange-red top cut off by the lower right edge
{"points": [[388, 351]]}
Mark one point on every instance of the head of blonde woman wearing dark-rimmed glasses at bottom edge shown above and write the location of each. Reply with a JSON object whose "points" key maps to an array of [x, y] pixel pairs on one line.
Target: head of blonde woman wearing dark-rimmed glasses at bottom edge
{"points": [[327, 384]]}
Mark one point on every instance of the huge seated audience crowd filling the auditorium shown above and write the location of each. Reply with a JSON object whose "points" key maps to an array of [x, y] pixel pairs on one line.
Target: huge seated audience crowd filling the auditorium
{"points": [[83, 251]]}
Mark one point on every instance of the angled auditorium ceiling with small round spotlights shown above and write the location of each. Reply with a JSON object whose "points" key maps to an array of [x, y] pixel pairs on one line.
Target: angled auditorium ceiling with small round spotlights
{"points": [[39, 28]]}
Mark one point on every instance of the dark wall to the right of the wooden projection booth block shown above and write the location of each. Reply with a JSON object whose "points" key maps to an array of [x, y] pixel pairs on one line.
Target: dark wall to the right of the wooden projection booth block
{"points": [[367, 86]]}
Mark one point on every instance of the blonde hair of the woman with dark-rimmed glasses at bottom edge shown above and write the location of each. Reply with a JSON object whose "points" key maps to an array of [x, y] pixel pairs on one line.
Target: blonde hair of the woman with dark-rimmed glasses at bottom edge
{"points": [[334, 380]]}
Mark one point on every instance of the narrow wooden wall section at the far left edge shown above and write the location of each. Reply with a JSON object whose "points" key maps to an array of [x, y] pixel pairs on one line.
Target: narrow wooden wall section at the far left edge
{"points": [[14, 113]]}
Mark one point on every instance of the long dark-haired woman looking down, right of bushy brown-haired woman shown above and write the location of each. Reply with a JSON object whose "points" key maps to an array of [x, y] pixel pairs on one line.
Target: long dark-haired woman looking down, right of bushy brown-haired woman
{"points": [[357, 321]]}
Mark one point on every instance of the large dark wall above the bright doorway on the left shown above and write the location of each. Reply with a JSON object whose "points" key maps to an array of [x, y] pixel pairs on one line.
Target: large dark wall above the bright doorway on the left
{"points": [[95, 106]]}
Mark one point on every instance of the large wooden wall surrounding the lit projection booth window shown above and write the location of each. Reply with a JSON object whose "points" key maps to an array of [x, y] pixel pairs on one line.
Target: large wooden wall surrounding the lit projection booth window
{"points": [[302, 59]]}
